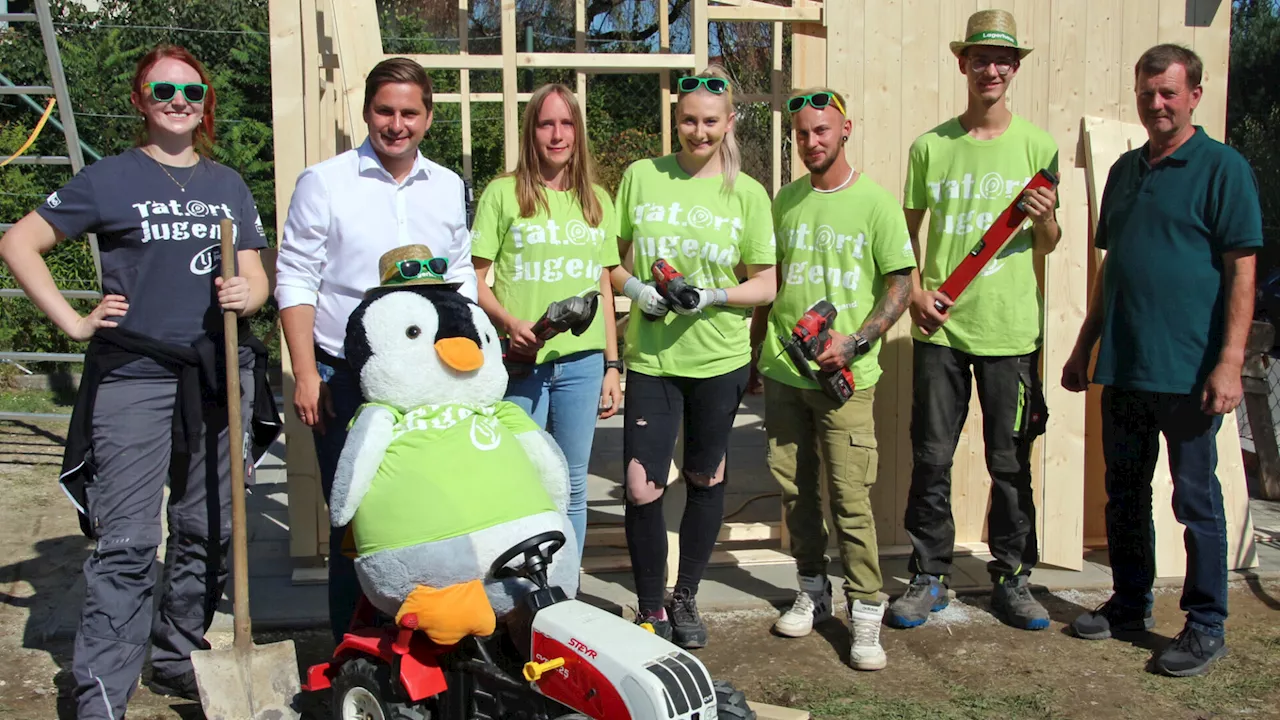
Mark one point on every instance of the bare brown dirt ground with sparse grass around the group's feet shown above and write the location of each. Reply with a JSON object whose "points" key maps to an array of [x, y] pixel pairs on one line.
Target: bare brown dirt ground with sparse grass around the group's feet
{"points": [[962, 666]]}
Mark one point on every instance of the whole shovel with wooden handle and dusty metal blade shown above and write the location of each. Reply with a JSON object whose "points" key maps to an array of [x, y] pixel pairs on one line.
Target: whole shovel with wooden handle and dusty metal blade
{"points": [[246, 682]]}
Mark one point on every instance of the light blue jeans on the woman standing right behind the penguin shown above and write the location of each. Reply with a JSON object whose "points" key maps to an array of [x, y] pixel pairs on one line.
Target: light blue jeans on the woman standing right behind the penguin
{"points": [[564, 398]]}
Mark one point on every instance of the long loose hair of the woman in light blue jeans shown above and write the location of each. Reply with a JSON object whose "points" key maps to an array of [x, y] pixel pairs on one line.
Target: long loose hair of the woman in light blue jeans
{"points": [[582, 168]]}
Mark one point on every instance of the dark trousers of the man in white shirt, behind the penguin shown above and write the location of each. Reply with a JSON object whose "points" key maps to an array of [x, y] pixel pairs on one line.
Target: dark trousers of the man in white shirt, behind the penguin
{"points": [[344, 585]]}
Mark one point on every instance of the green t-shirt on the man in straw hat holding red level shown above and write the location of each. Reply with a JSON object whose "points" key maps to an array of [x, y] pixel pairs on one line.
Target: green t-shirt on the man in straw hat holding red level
{"points": [[966, 184]]}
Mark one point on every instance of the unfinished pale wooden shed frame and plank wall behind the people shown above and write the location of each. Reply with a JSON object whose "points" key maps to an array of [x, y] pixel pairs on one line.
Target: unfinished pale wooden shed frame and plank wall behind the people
{"points": [[890, 60]]}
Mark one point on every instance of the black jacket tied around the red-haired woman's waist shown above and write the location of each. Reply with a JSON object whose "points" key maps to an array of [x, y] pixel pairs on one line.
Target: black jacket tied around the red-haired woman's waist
{"points": [[199, 370]]}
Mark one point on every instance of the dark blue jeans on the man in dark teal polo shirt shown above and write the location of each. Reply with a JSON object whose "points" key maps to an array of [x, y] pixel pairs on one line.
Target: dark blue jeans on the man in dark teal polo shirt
{"points": [[1132, 425]]}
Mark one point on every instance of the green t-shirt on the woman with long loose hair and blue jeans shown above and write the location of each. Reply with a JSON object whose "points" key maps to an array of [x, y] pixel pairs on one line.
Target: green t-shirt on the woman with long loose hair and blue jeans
{"points": [[546, 258]]}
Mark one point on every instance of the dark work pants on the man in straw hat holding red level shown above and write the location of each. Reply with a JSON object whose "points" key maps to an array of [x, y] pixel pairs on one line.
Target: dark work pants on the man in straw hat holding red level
{"points": [[1013, 414]]}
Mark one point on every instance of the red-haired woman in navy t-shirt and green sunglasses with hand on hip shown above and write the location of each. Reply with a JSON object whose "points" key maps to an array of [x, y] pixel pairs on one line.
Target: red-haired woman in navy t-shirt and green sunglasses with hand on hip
{"points": [[150, 409]]}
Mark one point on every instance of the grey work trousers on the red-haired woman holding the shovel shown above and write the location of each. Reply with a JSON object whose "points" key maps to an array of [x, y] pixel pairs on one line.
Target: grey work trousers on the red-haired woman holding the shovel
{"points": [[132, 453]]}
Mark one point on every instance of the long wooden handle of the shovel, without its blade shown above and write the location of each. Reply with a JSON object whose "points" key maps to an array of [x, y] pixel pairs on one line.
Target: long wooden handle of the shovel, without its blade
{"points": [[235, 430]]}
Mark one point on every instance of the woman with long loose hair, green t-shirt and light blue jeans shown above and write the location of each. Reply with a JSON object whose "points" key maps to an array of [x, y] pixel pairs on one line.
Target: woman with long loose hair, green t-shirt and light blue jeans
{"points": [[547, 231]]}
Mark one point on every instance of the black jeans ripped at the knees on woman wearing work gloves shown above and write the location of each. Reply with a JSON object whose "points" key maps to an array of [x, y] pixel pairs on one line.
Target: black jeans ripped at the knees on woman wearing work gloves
{"points": [[655, 409]]}
